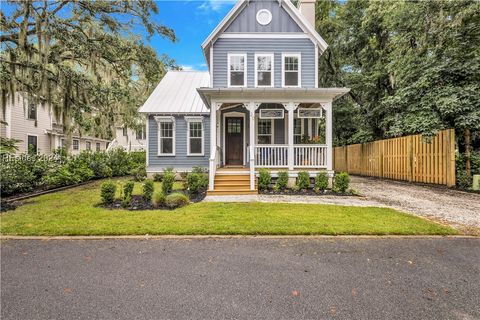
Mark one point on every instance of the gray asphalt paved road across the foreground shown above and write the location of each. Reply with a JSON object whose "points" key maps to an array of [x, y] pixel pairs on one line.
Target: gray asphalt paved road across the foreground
{"points": [[241, 279]]}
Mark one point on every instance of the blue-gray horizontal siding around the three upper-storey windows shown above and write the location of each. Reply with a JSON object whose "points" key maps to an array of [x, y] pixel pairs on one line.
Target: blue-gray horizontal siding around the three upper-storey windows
{"points": [[223, 46]]}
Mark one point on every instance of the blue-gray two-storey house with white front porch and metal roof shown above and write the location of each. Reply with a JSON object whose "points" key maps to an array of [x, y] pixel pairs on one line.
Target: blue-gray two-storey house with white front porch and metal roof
{"points": [[258, 106]]}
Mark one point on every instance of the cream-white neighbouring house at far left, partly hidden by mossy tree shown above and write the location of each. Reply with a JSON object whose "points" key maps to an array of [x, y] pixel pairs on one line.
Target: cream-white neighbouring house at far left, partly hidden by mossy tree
{"points": [[36, 126]]}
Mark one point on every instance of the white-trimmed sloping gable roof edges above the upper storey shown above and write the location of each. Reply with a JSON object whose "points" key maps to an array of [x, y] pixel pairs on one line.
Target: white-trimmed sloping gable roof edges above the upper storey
{"points": [[289, 8]]}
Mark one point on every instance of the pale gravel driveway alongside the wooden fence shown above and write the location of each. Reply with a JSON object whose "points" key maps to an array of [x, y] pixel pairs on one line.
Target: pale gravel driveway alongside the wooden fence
{"points": [[458, 208]]}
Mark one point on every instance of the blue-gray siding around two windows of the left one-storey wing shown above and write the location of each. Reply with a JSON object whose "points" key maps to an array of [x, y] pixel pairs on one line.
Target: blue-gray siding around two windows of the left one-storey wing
{"points": [[180, 161]]}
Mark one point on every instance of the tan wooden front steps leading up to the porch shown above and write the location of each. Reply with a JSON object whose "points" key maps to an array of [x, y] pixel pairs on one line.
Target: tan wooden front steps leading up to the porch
{"points": [[232, 184]]}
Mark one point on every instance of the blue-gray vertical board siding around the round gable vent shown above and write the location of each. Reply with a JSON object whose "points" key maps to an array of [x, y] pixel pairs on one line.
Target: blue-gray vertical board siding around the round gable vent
{"points": [[247, 19]]}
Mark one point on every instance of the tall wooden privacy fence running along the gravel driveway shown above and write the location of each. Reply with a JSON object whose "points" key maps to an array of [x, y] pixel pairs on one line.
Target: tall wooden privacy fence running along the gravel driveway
{"points": [[406, 158]]}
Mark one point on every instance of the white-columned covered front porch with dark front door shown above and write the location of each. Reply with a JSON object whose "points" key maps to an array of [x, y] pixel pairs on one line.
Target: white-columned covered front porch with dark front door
{"points": [[287, 129]]}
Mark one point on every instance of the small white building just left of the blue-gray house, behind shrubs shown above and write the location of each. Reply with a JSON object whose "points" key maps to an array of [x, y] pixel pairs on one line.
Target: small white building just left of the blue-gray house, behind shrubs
{"points": [[129, 139]]}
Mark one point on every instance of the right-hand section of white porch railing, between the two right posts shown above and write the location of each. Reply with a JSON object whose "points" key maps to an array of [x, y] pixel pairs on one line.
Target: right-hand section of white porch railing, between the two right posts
{"points": [[310, 156]]}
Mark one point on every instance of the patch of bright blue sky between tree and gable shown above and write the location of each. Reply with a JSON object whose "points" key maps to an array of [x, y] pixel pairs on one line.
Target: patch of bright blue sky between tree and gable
{"points": [[192, 21]]}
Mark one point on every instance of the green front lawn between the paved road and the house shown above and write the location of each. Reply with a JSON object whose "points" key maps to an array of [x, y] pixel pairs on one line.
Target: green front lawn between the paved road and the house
{"points": [[72, 212]]}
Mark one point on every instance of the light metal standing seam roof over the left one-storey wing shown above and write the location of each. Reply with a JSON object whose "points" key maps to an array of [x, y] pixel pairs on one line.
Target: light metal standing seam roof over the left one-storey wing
{"points": [[177, 93]]}
